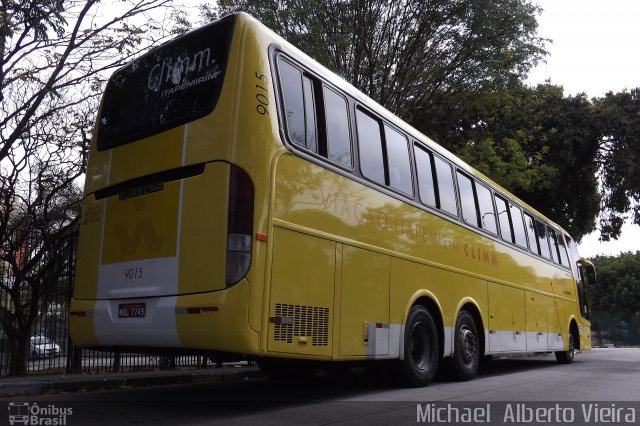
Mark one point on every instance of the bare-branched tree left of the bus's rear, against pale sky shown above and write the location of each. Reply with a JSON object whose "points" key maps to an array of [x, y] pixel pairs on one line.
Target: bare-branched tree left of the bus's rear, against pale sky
{"points": [[54, 59]]}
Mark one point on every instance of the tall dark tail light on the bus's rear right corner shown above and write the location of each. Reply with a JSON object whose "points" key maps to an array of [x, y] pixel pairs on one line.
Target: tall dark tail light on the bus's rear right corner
{"points": [[240, 225]]}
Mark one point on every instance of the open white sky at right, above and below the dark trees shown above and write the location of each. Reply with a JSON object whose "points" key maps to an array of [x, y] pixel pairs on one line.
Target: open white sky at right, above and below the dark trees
{"points": [[594, 50]]}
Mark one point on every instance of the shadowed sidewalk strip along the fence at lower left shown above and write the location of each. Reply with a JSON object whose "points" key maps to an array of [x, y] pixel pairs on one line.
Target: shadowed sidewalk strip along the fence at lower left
{"points": [[57, 383]]}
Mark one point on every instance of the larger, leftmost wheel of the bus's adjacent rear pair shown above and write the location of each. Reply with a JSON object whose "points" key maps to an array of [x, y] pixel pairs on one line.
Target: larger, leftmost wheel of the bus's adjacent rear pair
{"points": [[421, 350]]}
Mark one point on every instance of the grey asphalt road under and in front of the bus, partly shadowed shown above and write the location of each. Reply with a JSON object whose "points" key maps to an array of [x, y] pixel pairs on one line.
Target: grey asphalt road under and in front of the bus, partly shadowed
{"points": [[596, 384]]}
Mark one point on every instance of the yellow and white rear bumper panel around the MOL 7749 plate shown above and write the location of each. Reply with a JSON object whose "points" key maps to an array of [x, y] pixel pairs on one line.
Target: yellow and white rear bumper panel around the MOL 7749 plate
{"points": [[220, 324]]}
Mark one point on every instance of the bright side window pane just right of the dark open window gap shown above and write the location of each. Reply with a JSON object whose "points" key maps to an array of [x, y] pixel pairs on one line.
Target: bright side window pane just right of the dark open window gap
{"points": [[337, 127]]}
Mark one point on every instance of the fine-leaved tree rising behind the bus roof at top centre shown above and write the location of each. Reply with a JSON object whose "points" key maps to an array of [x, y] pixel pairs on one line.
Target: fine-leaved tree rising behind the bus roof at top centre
{"points": [[407, 54]]}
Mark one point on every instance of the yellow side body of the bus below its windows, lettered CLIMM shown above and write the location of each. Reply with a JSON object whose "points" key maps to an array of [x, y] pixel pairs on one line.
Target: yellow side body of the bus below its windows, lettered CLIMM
{"points": [[425, 251]]}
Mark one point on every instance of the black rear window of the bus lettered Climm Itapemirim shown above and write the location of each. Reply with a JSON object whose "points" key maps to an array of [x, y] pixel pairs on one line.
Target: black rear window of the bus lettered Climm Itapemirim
{"points": [[175, 83]]}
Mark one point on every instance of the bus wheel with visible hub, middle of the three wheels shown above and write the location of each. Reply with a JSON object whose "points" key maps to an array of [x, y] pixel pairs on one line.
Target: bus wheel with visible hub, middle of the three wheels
{"points": [[466, 352]]}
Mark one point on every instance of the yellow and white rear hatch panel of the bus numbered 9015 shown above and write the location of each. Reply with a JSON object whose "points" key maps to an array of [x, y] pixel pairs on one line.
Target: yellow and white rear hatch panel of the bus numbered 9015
{"points": [[153, 245]]}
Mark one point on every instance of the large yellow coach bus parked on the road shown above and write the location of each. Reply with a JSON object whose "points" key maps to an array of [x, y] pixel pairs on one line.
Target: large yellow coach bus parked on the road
{"points": [[241, 198]]}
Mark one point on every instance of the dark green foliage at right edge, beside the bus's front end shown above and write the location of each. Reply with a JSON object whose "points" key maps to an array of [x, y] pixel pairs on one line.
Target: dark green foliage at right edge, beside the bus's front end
{"points": [[618, 287]]}
